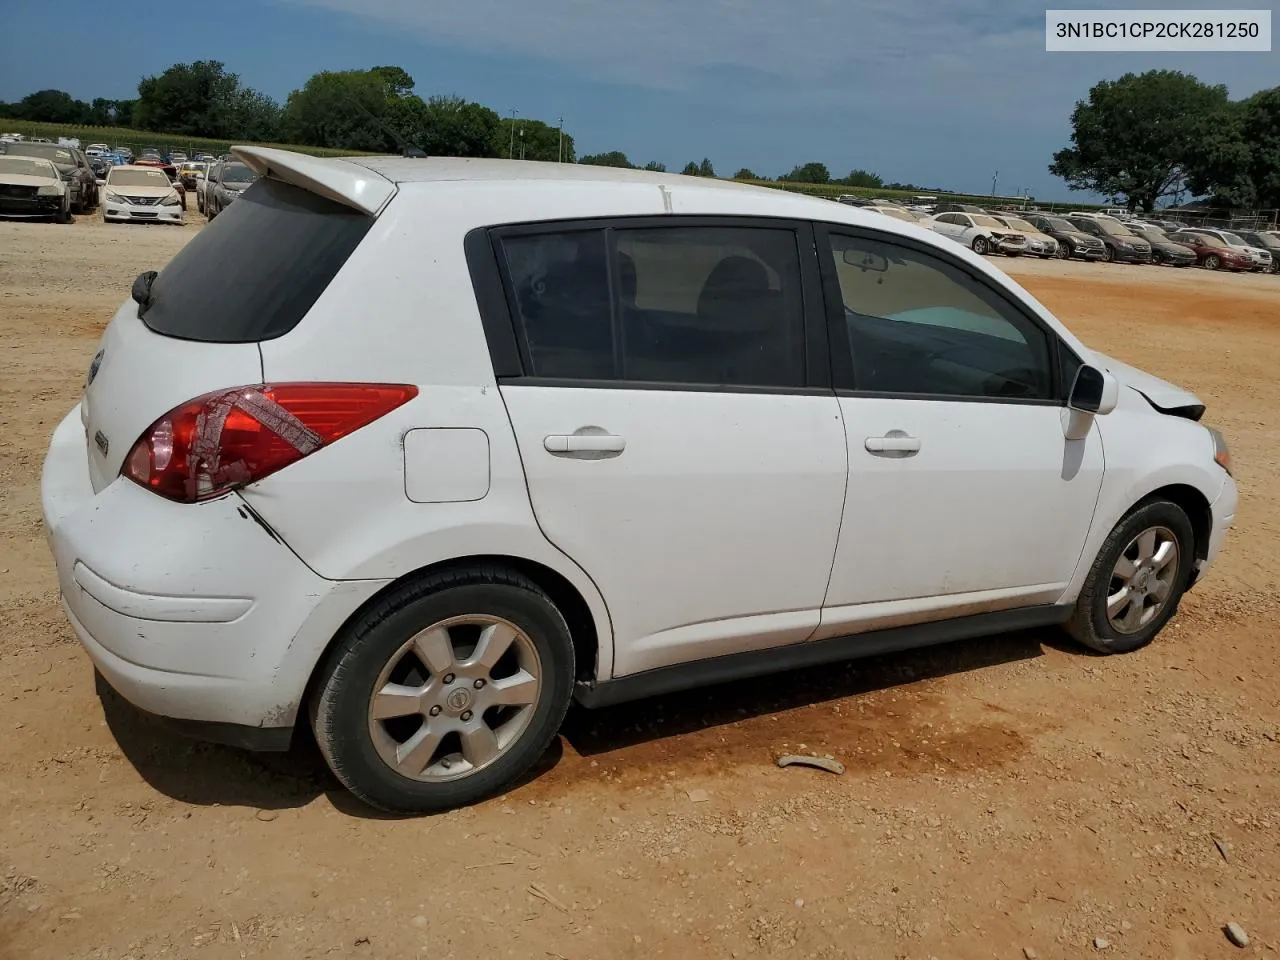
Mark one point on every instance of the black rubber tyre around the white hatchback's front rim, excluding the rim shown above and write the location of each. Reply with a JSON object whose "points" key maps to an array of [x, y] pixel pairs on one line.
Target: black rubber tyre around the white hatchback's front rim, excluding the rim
{"points": [[1090, 624]]}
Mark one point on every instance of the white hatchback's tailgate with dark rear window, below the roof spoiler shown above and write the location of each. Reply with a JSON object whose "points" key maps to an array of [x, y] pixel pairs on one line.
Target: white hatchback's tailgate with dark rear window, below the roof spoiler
{"points": [[243, 280]]}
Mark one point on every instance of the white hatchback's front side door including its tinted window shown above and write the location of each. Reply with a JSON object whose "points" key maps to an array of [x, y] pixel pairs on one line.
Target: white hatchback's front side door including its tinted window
{"points": [[964, 495]]}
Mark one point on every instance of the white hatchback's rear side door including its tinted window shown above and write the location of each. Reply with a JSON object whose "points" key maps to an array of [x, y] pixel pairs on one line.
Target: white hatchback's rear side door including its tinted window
{"points": [[679, 433]]}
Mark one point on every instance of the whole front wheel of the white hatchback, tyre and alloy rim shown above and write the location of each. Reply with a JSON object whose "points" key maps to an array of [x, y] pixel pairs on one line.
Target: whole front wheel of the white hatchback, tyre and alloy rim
{"points": [[1137, 580]]}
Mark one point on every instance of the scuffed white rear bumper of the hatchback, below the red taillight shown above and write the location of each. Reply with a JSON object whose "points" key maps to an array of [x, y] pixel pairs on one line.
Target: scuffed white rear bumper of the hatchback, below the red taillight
{"points": [[194, 612]]}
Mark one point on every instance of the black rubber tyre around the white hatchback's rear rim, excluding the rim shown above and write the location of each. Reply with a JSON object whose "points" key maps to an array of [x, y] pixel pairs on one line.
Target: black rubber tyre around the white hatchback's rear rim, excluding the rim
{"points": [[341, 706]]}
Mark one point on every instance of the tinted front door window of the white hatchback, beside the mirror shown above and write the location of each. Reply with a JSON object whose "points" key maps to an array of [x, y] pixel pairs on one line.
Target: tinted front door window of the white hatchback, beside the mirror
{"points": [[918, 326]]}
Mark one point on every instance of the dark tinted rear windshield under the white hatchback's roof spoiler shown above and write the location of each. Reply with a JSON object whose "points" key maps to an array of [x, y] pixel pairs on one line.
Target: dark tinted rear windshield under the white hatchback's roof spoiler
{"points": [[254, 273]]}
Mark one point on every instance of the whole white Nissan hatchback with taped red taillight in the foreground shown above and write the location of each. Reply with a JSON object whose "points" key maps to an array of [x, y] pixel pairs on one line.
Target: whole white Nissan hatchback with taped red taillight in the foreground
{"points": [[418, 451]]}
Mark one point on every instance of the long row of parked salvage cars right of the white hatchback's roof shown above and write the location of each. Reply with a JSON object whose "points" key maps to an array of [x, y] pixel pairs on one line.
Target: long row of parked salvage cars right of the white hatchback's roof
{"points": [[1091, 236]]}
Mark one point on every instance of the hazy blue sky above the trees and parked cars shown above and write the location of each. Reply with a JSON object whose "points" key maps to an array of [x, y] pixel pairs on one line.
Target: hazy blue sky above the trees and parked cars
{"points": [[939, 93]]}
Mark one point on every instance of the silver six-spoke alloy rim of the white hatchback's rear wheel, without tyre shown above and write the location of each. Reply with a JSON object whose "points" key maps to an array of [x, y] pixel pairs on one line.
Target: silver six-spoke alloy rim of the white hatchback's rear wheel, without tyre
{"points": [[455, 698]]}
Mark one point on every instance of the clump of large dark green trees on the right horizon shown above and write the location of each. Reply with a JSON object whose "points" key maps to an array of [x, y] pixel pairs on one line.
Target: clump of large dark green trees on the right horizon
{"points": [[1164, 134]]}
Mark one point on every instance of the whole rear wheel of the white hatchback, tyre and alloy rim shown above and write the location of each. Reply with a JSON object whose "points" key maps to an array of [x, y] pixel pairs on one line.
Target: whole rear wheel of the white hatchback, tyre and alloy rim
{"points": [[446, 692]]}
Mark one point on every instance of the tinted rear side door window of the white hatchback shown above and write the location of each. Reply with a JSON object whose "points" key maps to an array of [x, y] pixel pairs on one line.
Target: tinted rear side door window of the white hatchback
{"points": [[680, 305]]}
